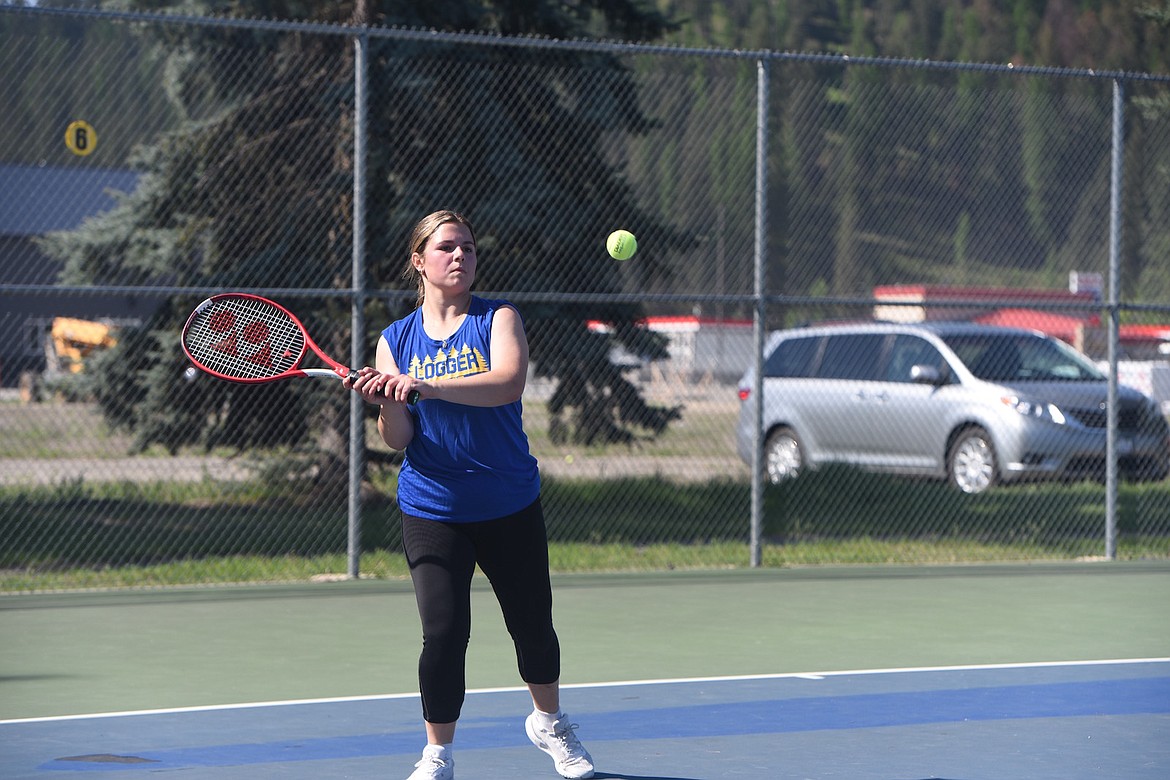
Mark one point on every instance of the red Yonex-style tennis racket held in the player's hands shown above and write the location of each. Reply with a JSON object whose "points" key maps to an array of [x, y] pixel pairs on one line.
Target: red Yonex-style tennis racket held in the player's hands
{"points": [[246, 339]]}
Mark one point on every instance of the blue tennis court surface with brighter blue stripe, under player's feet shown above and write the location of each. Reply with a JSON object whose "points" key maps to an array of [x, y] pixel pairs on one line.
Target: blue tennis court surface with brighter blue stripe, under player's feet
{"points": [[1064, 721]]}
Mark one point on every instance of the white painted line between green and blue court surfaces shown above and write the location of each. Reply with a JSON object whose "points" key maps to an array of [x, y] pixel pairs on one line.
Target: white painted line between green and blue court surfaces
{"points": [[794, 675]]}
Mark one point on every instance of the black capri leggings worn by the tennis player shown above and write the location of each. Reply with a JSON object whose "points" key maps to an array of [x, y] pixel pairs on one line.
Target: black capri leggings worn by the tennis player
{"points": [[513, 551]]}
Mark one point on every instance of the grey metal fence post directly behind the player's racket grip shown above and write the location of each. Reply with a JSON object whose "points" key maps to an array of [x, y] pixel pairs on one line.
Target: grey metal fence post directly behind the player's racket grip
{"points": [[357, 333]]}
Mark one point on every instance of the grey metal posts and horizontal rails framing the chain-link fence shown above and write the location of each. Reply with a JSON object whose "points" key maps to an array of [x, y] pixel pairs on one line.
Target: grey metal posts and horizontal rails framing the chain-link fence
{"points": [[759, 301]]}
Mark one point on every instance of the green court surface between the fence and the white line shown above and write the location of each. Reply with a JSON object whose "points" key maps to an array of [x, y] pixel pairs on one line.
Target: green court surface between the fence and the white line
{"points": [[90, 653]]}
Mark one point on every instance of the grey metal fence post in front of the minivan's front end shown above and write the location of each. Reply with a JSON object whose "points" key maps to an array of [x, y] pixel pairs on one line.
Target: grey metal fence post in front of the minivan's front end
{"points": [[1114, 326]]}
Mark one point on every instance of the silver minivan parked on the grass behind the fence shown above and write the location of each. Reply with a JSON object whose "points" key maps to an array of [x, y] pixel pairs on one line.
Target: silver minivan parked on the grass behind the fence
{"points": [[978, 405]]}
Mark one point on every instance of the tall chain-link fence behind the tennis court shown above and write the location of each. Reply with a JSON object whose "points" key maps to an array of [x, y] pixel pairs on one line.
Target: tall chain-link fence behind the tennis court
{"points": [[150, 162]]}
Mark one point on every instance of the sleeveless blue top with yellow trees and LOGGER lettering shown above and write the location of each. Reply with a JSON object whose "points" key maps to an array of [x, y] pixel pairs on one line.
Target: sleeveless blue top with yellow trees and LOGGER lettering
{"points": [[465, 464]]}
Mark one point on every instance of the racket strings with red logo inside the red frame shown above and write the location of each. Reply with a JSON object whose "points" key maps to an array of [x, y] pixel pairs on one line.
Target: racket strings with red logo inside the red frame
{"points": [[245, 339]]}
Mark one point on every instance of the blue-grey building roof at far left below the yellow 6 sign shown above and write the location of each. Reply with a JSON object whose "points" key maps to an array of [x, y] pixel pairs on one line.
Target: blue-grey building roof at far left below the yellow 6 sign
{"points": [[40, 199]]}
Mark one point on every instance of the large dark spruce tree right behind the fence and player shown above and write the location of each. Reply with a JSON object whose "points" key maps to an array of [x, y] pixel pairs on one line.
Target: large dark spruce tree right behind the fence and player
{"points": [[253, 191]]}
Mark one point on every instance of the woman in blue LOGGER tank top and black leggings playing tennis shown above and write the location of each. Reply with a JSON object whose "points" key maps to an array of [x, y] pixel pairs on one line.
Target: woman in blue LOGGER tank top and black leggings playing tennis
{"points": [[470, 491]]}
